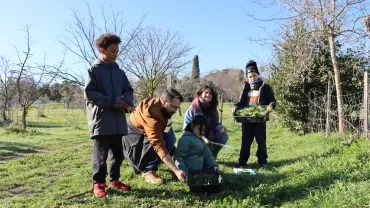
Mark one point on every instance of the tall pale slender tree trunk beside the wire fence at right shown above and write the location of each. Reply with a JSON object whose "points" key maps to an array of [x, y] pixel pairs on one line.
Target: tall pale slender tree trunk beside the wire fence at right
{"points": [[338, 86]]}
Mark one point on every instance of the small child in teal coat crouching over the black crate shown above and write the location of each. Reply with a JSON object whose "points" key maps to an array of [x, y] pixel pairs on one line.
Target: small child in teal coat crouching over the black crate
{"points": [[192, 153]]}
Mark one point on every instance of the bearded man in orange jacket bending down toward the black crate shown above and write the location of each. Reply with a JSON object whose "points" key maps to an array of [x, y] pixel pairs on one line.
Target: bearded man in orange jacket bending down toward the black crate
{"points": [[150, 138]]}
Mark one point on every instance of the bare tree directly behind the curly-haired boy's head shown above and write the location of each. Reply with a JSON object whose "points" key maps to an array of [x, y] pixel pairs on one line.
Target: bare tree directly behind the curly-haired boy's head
{"points": [[81, 33]]}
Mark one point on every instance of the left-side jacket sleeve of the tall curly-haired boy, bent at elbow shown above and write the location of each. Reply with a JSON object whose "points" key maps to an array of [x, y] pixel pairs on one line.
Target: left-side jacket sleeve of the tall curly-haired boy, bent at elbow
{"points": [[93, 95]]}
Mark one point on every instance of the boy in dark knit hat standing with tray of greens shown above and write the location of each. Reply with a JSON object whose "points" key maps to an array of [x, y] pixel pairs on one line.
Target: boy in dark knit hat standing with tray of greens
{"points": [[255, 92]]}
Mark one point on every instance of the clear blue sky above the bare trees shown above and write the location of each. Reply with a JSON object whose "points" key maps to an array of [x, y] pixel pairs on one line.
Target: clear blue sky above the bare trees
{"points": [[219, 30]]}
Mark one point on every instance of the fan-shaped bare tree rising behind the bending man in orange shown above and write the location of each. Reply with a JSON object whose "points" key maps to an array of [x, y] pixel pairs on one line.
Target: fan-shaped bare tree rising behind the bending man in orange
{"points": [[155, 53]]}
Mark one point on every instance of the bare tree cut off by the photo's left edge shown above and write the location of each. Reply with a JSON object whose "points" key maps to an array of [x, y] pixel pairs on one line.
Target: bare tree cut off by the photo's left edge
{"points": [[6, 88]]}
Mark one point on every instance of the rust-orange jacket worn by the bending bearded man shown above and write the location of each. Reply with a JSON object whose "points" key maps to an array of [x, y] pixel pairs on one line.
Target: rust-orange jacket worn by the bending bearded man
{"points": [[149, 120]]}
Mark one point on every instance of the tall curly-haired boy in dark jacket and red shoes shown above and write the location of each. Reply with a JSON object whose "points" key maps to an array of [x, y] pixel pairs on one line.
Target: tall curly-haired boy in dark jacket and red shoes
{"points": [[108, 95]]}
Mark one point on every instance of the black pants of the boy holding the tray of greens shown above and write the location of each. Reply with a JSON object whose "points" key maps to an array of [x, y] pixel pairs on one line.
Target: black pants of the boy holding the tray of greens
{"points": [[249, 132]]}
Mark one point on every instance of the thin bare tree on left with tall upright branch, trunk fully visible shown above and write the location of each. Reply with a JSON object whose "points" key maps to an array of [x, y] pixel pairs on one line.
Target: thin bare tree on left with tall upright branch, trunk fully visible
{"points": [[28, 76]]}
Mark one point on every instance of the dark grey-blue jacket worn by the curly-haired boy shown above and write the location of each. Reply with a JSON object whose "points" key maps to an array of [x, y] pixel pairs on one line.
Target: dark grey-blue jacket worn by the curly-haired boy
{"points": [[104, 83]]}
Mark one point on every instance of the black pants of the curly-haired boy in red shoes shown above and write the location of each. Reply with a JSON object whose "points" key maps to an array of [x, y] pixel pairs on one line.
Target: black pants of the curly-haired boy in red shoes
{"points": [[104, 146]]}
